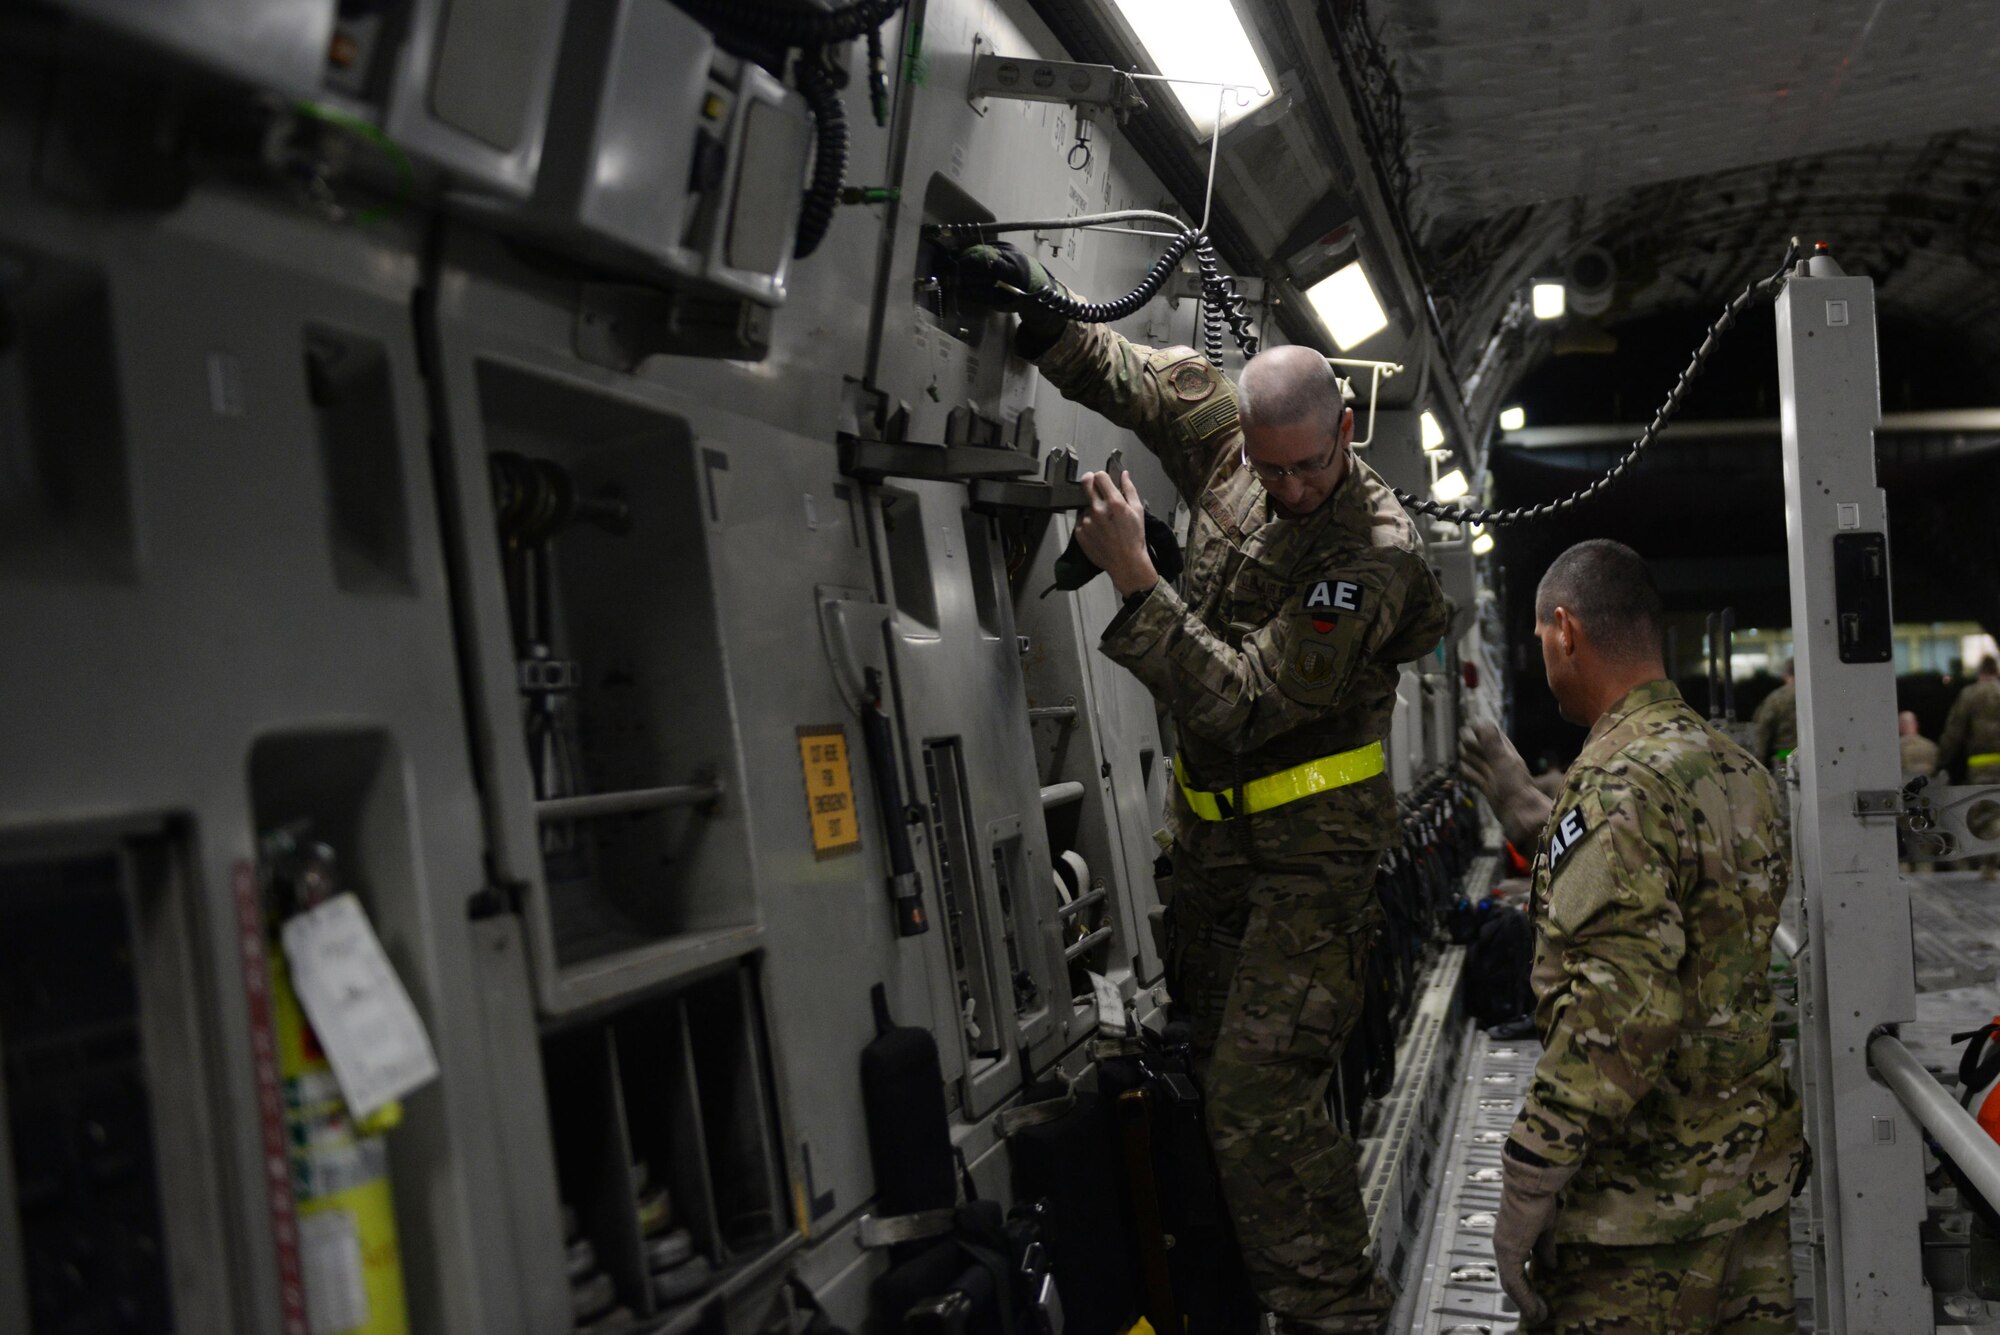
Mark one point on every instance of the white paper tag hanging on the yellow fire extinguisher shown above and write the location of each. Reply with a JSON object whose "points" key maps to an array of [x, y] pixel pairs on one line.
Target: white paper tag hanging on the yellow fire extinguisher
{"points": [[349, 990]]}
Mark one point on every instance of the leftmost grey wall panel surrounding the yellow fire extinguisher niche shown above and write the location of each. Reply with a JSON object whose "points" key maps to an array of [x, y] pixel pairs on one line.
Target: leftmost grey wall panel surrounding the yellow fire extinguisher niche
{"points": [[259, 637]]}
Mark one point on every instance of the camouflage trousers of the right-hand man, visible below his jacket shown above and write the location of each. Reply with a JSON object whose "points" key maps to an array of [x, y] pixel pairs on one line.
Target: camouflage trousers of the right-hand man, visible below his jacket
{"points": [[1731, 1284]]}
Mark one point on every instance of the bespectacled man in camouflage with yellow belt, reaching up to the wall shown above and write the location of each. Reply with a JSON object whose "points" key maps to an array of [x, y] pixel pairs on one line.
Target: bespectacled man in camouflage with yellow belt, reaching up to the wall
{"points": [[1277, 657]]}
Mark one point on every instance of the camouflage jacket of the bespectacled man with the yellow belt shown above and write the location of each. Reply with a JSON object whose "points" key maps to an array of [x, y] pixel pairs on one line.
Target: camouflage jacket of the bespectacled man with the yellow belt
{"points": [[1283, 641]]}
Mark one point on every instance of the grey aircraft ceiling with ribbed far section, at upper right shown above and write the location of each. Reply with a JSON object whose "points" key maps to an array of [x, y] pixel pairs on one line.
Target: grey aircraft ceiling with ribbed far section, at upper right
{"points": [[1691, 139]]}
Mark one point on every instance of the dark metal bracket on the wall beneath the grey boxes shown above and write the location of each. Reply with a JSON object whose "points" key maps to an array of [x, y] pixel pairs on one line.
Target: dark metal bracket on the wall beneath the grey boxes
{"points": [[623, 325]]}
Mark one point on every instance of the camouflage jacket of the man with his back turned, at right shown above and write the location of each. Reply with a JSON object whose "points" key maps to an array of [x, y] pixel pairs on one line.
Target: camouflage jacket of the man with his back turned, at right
{"points": [[1657, 892]]}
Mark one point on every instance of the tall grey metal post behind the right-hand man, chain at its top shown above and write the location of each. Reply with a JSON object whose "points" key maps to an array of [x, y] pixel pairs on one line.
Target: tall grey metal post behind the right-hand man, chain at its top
{"points": [[1859, 972]]}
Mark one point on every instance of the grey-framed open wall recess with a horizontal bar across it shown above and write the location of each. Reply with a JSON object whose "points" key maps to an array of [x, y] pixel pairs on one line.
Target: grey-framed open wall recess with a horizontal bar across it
{"points": [[639, 605]]}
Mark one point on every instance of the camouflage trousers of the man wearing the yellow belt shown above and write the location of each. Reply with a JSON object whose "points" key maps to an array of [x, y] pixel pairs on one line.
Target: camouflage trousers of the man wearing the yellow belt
{"points": [[1269, 970]]}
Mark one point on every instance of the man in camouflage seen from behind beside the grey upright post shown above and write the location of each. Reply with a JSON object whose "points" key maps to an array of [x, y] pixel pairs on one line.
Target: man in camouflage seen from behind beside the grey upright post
{"points": [[1661, 1140]]}
